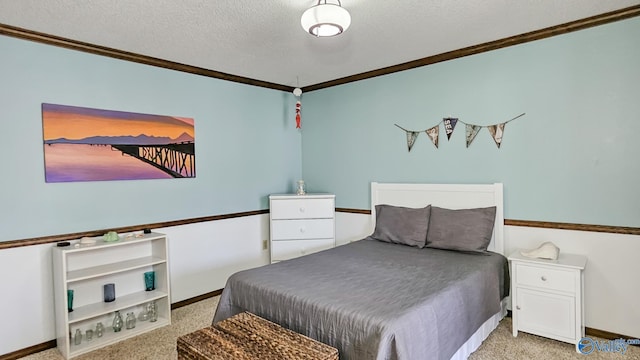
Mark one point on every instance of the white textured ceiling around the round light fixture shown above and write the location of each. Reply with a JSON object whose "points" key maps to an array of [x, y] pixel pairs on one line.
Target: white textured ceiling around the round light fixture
{"points": [[263, 40]]}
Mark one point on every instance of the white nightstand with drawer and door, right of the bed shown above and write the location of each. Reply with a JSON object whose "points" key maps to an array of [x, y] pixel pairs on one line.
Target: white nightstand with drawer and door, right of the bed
{"points": [[547, 296]]}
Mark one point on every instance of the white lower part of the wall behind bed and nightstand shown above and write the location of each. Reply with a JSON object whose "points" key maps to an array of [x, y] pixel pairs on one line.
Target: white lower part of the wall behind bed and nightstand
{"points": [[612, 275]]}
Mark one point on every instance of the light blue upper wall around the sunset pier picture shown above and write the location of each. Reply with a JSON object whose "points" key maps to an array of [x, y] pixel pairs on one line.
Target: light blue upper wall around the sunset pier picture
{"points": [[246, 142]]}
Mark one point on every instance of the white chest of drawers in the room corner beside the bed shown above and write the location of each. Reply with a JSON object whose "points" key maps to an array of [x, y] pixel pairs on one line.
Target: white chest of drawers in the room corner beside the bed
{"points": [[301, 224]]}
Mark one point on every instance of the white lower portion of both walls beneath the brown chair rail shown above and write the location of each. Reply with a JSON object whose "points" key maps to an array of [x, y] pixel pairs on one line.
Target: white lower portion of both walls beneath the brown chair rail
{"points": [[204, 255]]}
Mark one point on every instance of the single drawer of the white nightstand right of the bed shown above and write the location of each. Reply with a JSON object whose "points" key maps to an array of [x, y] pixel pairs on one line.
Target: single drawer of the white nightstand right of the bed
{"points": [[546, 278]]}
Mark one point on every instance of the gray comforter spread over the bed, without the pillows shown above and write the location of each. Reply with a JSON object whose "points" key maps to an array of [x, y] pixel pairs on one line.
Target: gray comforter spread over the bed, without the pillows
{"points": [[375, 300]]}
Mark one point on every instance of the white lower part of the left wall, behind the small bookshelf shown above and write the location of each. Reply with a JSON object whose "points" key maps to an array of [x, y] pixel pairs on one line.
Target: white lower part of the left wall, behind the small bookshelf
{"points": [[202, 256]]}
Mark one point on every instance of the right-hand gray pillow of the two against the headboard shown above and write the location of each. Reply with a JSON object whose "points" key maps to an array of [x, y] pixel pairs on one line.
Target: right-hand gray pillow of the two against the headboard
{"points": [[462, 230]]}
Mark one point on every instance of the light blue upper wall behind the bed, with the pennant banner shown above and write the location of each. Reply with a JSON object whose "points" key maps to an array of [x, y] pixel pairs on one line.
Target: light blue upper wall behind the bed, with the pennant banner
{"points": [[574, 157]]}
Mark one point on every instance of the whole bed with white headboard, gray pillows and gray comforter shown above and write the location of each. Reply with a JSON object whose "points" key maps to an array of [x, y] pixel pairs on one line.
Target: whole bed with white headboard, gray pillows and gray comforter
{"points": [[393, 294]]}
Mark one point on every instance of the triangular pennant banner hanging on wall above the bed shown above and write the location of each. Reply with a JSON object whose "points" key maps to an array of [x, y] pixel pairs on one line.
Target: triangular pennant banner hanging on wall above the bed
{"points": [[496, 131]]}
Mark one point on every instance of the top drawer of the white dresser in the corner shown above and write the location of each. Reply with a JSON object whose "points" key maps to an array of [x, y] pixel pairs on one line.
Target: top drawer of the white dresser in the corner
{"points": [[302, 208]]}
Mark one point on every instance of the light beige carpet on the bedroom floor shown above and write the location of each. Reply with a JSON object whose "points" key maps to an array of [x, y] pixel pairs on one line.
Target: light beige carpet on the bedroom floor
{"points": [[160, 344]]}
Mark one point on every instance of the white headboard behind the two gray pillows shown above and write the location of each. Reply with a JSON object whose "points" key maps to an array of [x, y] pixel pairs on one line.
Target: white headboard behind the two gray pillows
{"points": [[450, 196]]}
